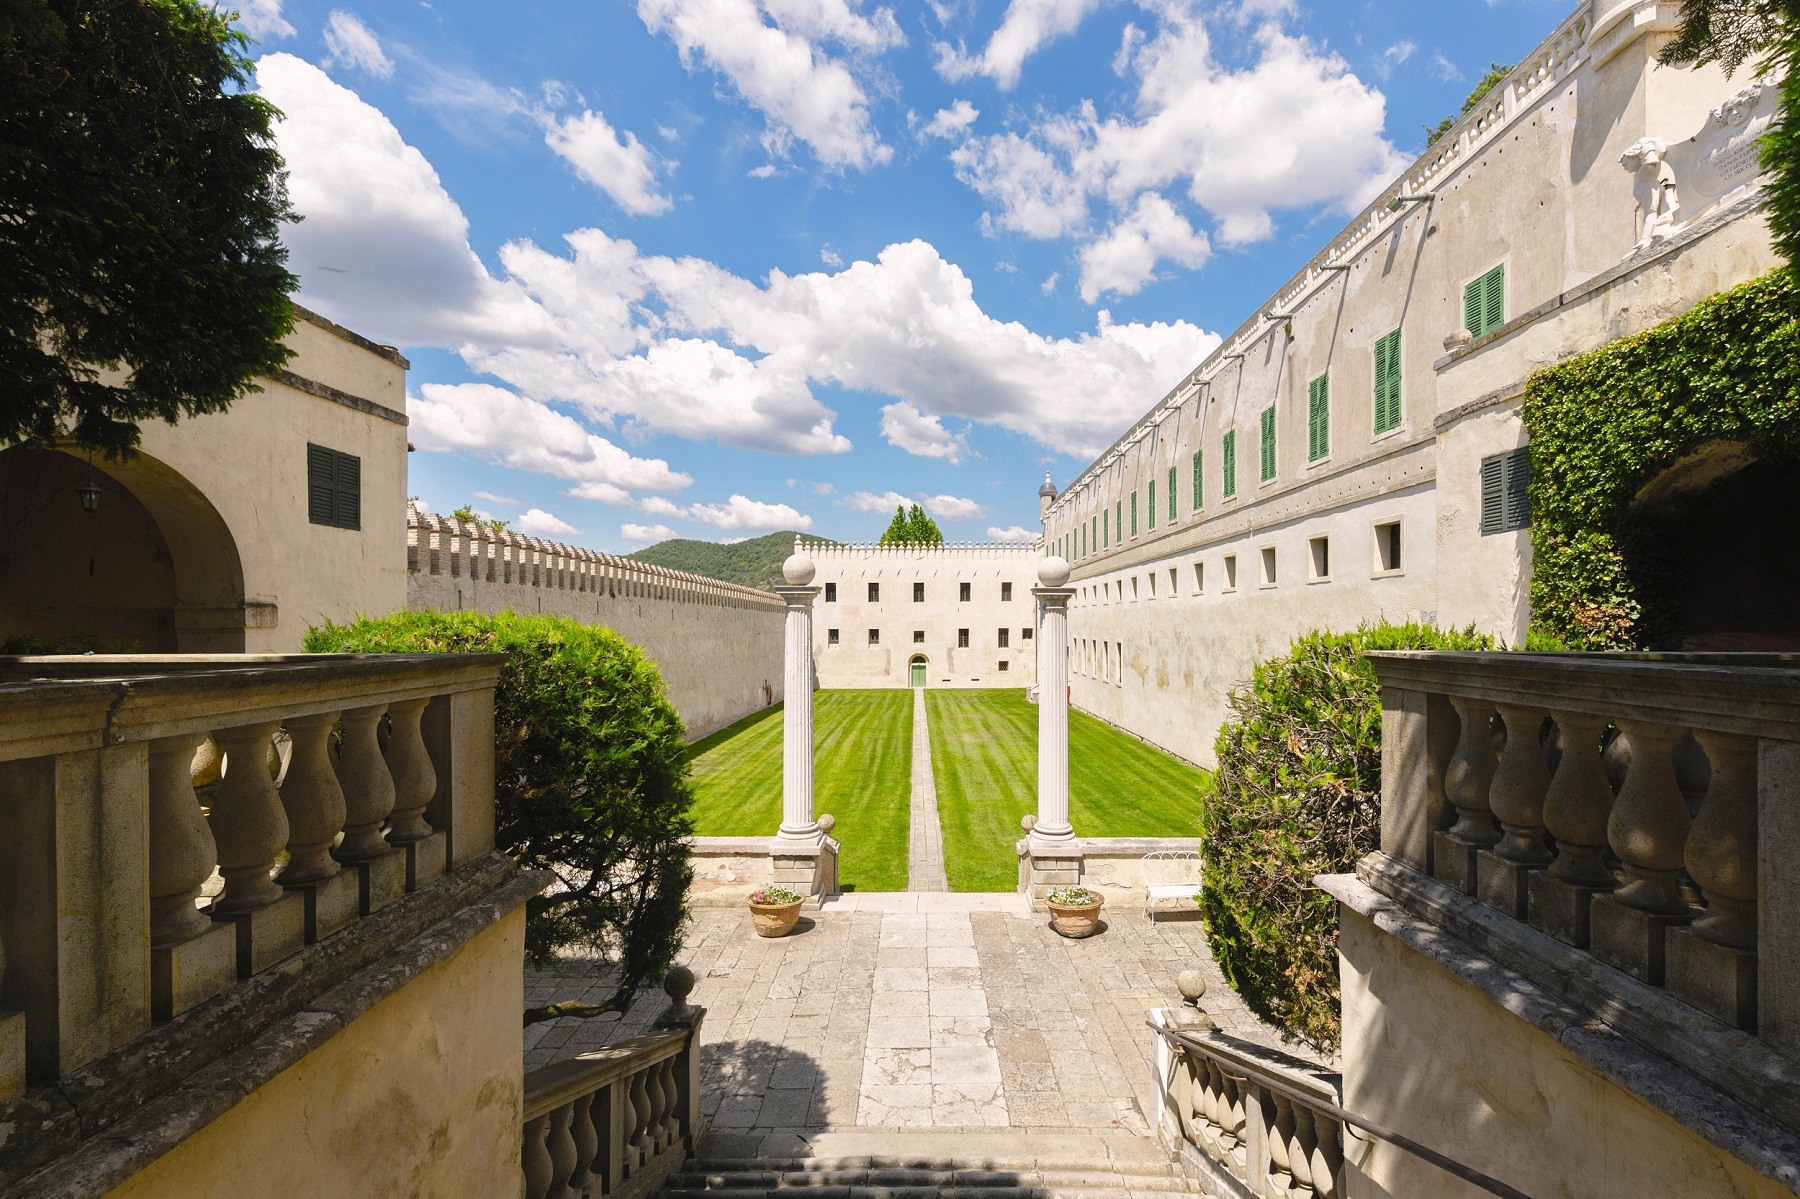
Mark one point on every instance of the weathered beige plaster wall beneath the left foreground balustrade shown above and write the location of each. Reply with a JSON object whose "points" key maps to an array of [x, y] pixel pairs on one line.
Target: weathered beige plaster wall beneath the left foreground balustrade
{"points": [[422, 1095]]}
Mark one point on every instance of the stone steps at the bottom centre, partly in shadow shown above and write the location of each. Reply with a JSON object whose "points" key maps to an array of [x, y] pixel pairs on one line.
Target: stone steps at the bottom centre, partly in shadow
{"points": [[944, 1166]]}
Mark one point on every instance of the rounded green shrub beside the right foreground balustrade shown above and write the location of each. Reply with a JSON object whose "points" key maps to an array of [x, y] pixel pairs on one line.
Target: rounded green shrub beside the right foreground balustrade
{"points": [[1299, 795]]}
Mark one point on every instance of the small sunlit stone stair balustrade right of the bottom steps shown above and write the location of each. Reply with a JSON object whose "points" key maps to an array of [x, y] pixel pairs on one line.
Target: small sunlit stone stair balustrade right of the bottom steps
{"points": [[1245, 1119]]}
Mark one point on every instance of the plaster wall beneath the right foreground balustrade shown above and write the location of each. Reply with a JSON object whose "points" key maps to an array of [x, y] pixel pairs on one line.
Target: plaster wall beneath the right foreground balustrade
{"points": [[1430, 1058]]}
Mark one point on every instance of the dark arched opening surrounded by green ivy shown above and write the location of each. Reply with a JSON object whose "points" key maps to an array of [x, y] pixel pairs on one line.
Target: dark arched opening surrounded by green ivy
{"points": [[1718, 536]]}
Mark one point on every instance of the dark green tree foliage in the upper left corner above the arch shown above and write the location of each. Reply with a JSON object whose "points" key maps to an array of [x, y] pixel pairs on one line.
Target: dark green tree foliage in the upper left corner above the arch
{"points": [[141, 197]]}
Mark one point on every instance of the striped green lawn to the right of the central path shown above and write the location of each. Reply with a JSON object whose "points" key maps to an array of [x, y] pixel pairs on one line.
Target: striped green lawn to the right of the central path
{"points": [[984, 759]]}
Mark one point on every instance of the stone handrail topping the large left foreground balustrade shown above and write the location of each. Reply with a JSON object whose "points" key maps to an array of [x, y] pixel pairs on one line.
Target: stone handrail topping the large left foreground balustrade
{"points": [[58, 705]]}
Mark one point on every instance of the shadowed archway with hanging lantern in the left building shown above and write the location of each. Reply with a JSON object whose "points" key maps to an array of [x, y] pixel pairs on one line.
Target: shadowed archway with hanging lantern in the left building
{"points": [[154, 566]]}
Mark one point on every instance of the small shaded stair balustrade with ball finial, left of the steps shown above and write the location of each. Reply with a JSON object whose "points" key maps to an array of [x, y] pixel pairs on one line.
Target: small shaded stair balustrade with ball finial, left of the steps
{"points": [[622, 1121]]}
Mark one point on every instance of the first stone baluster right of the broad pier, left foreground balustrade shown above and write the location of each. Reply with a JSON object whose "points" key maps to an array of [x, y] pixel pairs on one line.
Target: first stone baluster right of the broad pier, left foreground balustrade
{"points": [[181, 843]]}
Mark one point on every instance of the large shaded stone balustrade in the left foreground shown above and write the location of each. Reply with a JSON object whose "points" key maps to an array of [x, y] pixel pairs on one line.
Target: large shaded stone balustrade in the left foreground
{"points": [[127, 897]]}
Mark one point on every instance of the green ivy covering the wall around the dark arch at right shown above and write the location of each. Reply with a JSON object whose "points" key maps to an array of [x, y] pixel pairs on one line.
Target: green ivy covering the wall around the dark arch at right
{"points": [[1608, 422]]}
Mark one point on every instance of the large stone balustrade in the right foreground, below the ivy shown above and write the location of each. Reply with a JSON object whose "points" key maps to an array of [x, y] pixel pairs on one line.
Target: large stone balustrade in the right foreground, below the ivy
{"points": [[1635, 807]]}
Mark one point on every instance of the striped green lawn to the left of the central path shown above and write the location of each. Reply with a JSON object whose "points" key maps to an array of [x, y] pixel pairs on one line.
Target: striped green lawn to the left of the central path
{"points": [[863, 775]]}
